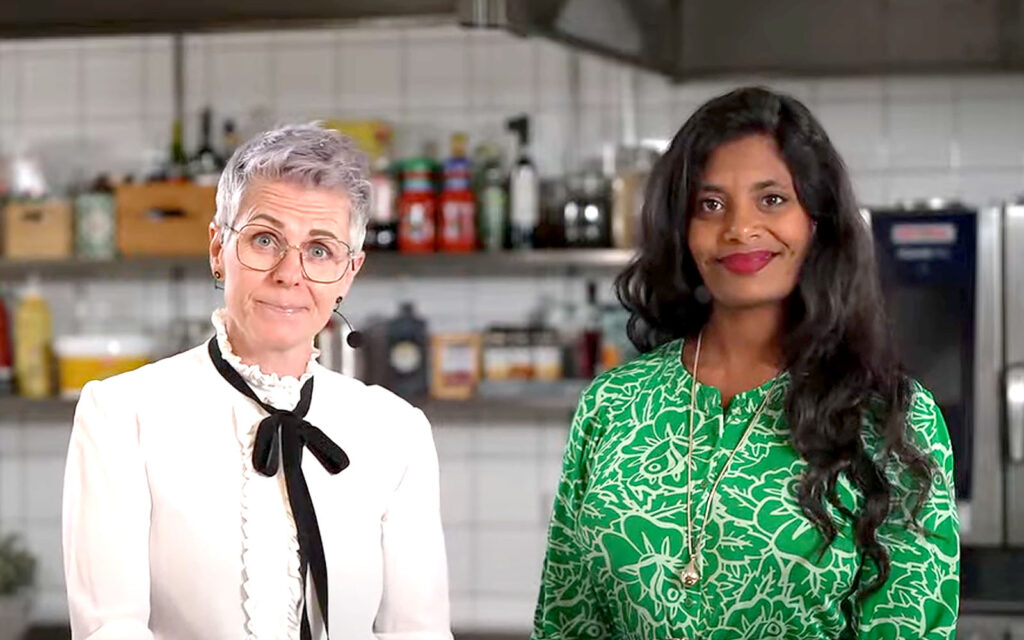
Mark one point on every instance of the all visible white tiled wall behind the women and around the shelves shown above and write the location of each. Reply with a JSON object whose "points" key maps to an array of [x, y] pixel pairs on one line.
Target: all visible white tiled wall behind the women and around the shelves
{"points": [[94, 105]]}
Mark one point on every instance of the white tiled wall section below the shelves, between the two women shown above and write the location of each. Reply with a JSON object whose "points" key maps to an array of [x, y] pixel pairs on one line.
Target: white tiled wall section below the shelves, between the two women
{"points": [[497, 488]]}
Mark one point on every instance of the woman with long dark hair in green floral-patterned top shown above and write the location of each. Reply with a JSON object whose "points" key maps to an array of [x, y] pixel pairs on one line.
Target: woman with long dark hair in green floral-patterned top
{"points": [[765, 470]]}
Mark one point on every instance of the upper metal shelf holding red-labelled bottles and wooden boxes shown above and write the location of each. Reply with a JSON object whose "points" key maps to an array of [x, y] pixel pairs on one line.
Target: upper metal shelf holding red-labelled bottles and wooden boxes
{"points": [[503, 265]]}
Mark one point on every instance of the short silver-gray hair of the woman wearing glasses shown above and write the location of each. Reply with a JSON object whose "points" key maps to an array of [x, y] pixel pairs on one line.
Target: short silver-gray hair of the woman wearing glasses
{"points": [[305, 155]]}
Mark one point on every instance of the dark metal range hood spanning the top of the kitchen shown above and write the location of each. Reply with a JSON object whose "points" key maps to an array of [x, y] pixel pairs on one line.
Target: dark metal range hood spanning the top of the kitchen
{"points": [[681, 39]]}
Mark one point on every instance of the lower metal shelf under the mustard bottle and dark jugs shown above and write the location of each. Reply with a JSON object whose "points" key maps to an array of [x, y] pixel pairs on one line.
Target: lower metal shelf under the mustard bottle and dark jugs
{"points": [[481, 412]]}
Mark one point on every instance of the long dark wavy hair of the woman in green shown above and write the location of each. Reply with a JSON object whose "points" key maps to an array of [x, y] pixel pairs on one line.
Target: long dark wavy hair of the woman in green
{"points": [[845, 377]]}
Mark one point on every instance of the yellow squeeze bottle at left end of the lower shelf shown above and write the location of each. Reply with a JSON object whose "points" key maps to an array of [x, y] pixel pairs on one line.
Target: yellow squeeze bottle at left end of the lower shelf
{"points": [[33, 345]]}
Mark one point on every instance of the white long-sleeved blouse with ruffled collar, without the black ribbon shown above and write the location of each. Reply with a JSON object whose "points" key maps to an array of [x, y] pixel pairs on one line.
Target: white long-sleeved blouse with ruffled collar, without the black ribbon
{"points": [[170, 534]]}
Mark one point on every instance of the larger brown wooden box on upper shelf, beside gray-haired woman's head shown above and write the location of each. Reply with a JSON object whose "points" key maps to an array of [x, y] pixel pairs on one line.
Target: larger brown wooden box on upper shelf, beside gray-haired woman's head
{"points": [[165, 219]]}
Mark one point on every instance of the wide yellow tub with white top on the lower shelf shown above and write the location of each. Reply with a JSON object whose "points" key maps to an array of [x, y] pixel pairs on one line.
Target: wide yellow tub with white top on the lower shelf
{"points": [[81, 359]]}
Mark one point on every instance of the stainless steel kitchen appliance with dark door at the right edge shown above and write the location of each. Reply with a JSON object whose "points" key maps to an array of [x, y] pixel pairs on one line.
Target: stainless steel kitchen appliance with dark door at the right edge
{"points": [[954, 280]]}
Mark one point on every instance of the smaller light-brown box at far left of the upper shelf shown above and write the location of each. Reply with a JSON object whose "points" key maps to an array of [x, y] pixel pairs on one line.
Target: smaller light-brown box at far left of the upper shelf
{"points": [[38, 230]]}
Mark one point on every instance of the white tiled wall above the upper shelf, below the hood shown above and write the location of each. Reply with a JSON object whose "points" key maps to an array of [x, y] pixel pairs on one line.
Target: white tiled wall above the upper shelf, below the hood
{"points": [[110, 101]]}
